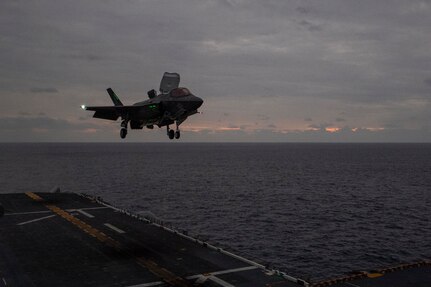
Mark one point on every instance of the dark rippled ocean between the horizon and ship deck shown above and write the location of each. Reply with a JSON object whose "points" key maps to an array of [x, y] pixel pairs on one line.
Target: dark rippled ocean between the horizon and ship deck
{"points": [[312, 210]]}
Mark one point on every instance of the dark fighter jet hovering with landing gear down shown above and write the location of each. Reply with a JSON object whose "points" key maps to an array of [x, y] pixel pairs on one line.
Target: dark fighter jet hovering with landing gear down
{"points": [[172, 105]]}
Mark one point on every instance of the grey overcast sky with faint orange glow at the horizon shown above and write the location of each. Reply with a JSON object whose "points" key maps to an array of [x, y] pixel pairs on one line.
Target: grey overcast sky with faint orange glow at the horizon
{"points": [[313, 71]]}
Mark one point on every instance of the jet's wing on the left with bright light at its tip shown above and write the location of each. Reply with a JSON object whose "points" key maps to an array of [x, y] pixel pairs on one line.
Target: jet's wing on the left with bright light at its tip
{"points": [[114, 112]]}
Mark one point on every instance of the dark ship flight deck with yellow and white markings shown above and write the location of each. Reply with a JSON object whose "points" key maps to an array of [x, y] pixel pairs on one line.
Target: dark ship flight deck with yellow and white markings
{"points": [[68, 239]]}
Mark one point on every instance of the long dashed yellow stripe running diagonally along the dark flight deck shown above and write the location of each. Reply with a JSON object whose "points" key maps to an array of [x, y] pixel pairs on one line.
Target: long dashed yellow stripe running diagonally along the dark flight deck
{"points": [[165, 275]]}
